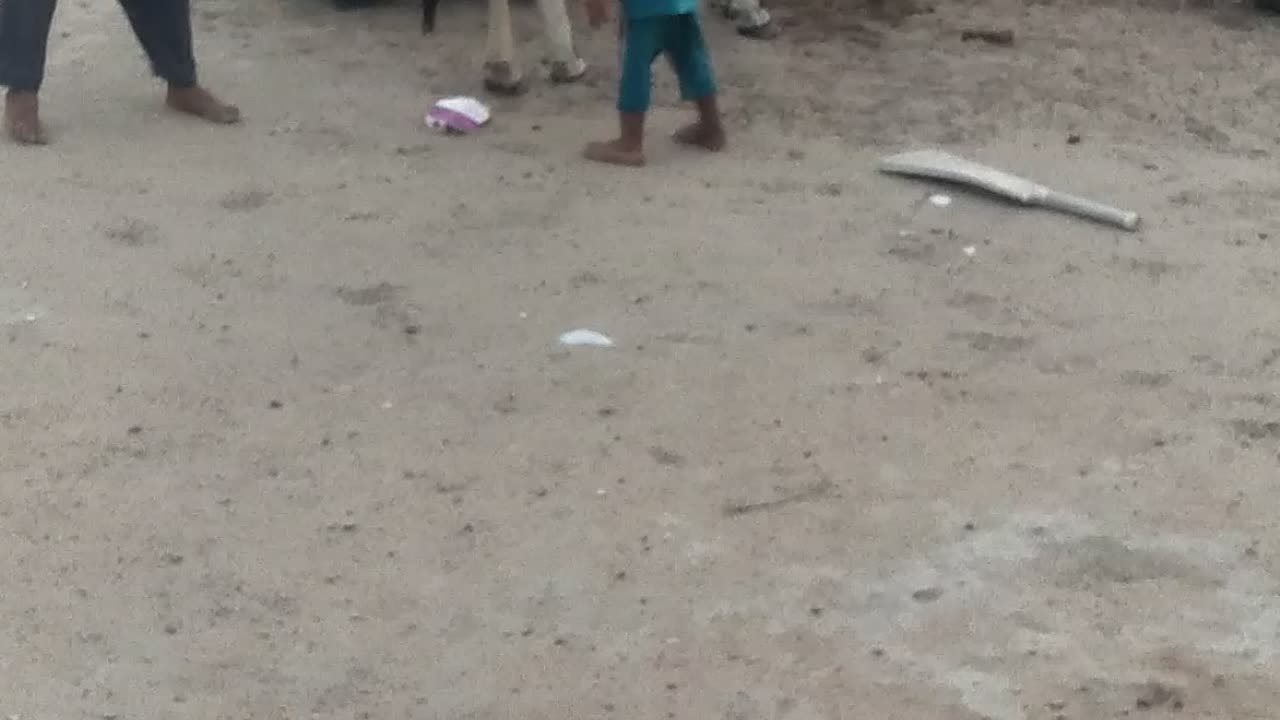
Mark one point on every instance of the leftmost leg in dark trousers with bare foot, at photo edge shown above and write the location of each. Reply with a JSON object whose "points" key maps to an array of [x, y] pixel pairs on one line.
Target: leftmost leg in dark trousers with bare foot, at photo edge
{"points": [[24, 44]]}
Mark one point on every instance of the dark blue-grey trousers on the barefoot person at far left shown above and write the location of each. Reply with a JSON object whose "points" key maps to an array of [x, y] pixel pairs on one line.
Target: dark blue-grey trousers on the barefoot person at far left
{"points": [[162, 26]]}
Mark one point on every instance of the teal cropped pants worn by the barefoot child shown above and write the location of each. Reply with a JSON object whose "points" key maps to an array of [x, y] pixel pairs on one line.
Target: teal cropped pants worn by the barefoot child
{"points": [[680, 39]]}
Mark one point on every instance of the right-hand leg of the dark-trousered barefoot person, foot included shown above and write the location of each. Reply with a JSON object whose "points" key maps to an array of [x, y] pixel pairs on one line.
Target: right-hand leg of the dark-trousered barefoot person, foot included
{"points": [[163, 28]]}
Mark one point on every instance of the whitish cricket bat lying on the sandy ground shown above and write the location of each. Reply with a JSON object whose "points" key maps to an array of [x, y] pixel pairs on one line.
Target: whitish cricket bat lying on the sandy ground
{"points": [[943, 166]]}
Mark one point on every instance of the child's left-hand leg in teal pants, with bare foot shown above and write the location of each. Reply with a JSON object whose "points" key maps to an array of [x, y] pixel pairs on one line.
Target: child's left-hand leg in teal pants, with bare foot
{"points": [[642, 42]]}
